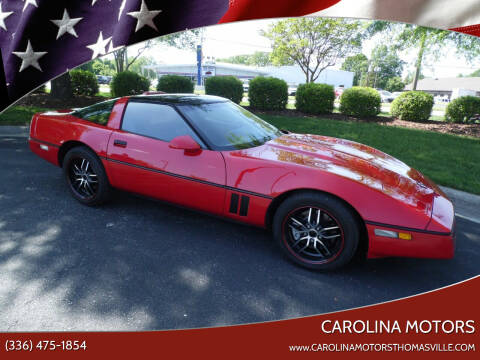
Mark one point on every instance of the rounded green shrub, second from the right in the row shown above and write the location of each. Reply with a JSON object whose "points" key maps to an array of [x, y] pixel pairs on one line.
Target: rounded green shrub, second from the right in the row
{"points": [[413, 106]]}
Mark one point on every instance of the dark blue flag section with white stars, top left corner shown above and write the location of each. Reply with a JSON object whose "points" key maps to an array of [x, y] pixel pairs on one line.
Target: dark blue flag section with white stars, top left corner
{"points": [[41, 39]]}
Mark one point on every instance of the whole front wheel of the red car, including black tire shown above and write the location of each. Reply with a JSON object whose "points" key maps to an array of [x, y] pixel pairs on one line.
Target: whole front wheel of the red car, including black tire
{"points": [[316, 230]]}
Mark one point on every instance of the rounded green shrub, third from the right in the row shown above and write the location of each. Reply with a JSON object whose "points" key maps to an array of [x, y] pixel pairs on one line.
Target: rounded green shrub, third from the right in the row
{"points": [[360, 101]]}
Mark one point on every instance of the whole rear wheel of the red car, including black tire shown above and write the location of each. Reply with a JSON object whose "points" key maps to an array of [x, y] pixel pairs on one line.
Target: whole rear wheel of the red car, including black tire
{"points": [[86, 177]]}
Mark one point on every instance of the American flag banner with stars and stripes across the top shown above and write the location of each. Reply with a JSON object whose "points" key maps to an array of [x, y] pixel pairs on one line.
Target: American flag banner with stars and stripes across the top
{"points": [[41, 39]]}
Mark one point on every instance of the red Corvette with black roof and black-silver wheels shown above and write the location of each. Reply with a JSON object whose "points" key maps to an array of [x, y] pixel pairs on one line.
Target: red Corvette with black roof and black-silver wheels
{"points": [[324, 199]]}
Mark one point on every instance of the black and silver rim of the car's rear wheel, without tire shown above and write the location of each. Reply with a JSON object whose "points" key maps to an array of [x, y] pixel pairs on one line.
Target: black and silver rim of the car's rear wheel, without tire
{"points": [[82, 178]]}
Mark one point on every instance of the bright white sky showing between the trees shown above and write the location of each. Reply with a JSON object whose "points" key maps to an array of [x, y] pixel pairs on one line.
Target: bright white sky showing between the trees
{"points": [[221, 41]]}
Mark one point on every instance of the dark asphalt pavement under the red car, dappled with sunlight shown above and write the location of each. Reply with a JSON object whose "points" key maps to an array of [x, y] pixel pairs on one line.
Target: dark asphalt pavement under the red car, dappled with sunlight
{"points": [[136, 264]]}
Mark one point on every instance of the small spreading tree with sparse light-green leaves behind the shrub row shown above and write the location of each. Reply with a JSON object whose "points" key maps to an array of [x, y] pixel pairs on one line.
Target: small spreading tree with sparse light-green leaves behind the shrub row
{"points": [[313, 43]]}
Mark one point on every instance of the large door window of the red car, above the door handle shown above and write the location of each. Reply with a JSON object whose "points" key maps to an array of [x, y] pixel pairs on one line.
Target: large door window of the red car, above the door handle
{"points": [[158, 121]]}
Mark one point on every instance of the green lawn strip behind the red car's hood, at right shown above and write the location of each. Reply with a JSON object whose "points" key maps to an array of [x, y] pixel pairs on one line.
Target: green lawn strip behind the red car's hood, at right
{"points": [[448, 160]]}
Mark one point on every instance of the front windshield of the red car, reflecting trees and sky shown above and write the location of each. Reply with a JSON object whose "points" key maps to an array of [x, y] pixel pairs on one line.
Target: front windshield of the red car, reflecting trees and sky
{"points": [[227, 126]]}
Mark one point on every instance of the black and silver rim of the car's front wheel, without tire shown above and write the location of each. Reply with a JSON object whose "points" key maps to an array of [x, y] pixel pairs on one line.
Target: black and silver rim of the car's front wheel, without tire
{"points": [[313, 235]]}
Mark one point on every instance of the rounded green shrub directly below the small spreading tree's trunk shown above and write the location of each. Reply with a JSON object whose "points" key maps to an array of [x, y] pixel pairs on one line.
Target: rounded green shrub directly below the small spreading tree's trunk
{"points": [[315, 98]]}
